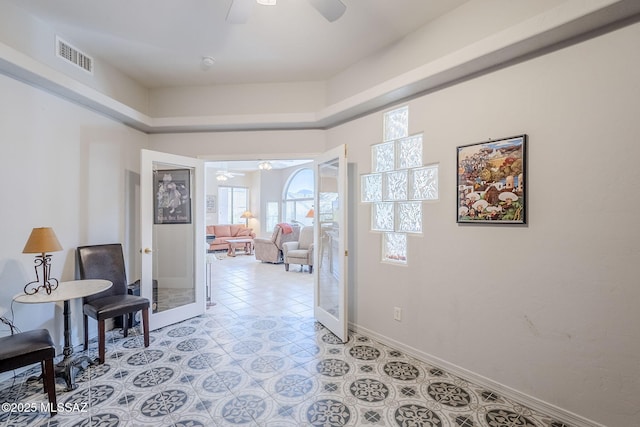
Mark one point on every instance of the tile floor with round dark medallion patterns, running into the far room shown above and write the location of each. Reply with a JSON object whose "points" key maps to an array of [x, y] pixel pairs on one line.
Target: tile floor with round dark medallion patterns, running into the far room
{"points": [[257, 358]]}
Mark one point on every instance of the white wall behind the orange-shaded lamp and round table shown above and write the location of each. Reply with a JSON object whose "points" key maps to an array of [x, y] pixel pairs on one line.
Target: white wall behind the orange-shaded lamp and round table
{"points": [[62, 166]]}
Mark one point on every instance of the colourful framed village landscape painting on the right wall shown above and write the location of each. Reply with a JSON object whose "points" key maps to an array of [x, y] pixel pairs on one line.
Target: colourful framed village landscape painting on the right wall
{"points": [[492, 181]]}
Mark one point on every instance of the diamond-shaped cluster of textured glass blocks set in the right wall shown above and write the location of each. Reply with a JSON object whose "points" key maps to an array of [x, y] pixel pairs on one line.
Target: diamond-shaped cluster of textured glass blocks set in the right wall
{"points": [[397, 186]]}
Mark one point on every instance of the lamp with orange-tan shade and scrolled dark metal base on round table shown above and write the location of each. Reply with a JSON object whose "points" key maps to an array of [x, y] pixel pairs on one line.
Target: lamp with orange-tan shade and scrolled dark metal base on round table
{"points": [[41, 241]]}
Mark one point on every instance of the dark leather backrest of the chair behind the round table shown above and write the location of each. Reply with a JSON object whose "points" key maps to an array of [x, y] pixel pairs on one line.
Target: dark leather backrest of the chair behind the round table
{"points": [[103, 262]]}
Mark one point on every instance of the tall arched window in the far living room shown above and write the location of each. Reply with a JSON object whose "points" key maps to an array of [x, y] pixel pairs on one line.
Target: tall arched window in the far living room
{"points": [[298, 197]]}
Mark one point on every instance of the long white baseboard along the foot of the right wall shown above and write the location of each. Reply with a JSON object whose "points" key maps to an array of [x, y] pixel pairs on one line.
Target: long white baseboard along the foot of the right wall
{"points": [[528, 401]]}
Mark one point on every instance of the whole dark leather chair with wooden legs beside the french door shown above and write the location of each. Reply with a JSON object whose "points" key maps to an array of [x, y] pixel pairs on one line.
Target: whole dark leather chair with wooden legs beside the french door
{"points": [[107, 262]]}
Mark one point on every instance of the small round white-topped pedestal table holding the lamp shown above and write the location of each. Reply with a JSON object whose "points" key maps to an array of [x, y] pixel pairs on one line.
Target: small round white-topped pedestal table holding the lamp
{"points": [[67, 291]]}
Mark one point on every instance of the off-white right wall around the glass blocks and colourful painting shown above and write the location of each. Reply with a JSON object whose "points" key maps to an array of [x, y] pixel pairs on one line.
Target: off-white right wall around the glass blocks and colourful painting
{"points": [[550, 309]]}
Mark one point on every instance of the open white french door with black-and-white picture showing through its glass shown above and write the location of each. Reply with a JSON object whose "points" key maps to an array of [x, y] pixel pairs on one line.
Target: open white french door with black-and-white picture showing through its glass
{"points": [[172, 236]]}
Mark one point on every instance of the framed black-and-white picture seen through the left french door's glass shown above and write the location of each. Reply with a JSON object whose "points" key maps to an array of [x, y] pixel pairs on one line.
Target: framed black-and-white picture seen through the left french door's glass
{"points": [[172, 203]]}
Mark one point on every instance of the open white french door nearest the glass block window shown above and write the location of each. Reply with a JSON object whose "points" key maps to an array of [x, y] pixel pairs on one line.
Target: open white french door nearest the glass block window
{"points": [[330, 250]]}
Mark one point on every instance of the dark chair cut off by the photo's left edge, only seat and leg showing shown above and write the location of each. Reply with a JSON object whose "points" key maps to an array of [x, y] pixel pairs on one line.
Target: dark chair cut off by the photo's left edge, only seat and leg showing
{"points": [[27, 348]]}
